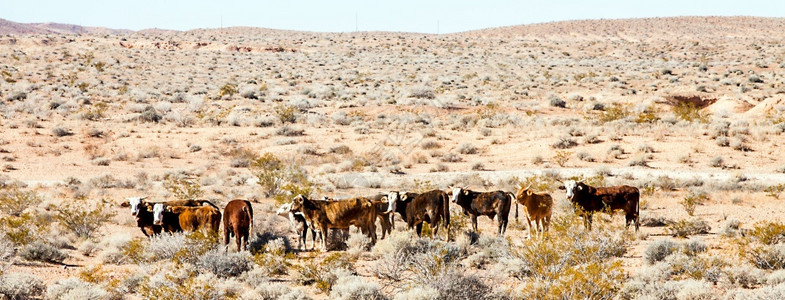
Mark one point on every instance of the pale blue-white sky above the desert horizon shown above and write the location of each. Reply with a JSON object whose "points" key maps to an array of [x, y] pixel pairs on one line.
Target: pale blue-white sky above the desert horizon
{"points": [[346, 16]]}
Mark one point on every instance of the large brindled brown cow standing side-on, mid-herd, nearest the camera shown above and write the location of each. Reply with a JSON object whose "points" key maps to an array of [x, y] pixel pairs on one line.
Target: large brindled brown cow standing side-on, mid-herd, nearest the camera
{"points": [[340, 214]]}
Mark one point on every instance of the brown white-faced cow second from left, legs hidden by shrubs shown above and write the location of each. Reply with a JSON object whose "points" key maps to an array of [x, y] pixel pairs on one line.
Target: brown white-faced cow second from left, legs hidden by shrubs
{"points": [[187, 218]]}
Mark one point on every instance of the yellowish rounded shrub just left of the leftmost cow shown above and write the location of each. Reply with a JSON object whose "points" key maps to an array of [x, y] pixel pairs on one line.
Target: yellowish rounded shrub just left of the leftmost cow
{"points": [[83, 219]]}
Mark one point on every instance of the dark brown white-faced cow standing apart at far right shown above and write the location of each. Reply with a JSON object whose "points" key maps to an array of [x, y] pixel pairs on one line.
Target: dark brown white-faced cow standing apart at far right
{"points": [[590, 199]]}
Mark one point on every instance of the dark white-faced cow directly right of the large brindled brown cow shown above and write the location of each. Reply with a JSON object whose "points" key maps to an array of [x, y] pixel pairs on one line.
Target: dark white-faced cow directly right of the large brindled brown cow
{"points": [[432, 207]]}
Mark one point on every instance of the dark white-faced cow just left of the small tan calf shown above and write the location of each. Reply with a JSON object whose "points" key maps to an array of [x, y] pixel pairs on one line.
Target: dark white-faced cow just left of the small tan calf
{"points": [[491, 204]]}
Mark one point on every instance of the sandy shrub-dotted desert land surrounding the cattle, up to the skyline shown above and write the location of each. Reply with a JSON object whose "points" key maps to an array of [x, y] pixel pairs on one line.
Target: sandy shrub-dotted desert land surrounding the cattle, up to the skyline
{"points": [[689, 110]]}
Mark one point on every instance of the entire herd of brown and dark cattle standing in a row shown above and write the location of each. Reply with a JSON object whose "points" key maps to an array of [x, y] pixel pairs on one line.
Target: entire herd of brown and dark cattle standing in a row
{"points": [[433, 207]]}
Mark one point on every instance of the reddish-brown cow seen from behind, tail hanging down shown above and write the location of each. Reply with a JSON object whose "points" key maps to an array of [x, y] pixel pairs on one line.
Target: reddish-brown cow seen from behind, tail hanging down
{"points": [[238, 220]]}
